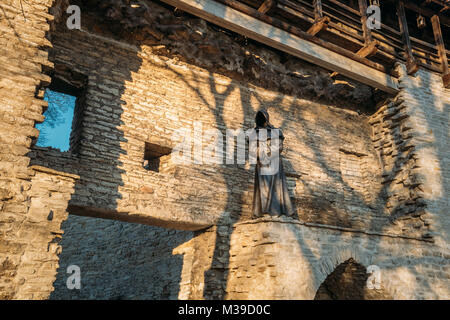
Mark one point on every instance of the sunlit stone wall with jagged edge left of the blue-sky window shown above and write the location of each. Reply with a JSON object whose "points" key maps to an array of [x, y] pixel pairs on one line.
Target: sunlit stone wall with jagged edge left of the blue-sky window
{"points": [[27, 255]]}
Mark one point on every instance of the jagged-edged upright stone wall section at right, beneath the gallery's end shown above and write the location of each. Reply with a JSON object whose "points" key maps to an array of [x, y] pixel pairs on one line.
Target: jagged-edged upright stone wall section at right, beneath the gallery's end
{"points": [[409, 134]]}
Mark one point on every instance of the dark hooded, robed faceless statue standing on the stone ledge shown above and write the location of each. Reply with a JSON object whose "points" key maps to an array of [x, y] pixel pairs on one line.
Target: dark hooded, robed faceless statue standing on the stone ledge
{"points": [[270, 192]]}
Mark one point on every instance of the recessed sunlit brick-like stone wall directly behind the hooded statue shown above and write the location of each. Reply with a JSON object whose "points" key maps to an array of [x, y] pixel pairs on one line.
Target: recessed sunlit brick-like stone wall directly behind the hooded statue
{"points": [[138, 95]]}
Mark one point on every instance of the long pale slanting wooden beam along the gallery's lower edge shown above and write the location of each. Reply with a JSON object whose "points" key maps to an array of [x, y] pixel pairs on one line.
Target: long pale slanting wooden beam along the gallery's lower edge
{"points": [[270, 35]]}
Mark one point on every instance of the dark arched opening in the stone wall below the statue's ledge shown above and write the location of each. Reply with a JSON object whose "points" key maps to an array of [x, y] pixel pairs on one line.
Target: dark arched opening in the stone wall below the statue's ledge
{"points": [[349, 282]]}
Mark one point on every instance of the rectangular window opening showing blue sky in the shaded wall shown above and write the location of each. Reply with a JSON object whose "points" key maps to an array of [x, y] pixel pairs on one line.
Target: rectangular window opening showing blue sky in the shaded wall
{"points": [[61, 128]]}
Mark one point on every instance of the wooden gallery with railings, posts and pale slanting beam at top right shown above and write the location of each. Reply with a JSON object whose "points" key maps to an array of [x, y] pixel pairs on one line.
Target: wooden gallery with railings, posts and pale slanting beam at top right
{"points": [[415, 32]]}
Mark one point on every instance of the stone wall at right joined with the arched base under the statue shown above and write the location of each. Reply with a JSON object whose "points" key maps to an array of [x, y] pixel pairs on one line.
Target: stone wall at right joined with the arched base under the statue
{"points": [[410, 248]]}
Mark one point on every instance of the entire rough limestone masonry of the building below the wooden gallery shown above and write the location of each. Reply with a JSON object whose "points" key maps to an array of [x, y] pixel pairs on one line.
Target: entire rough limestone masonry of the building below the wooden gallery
{"points": [[368, 172]]}
